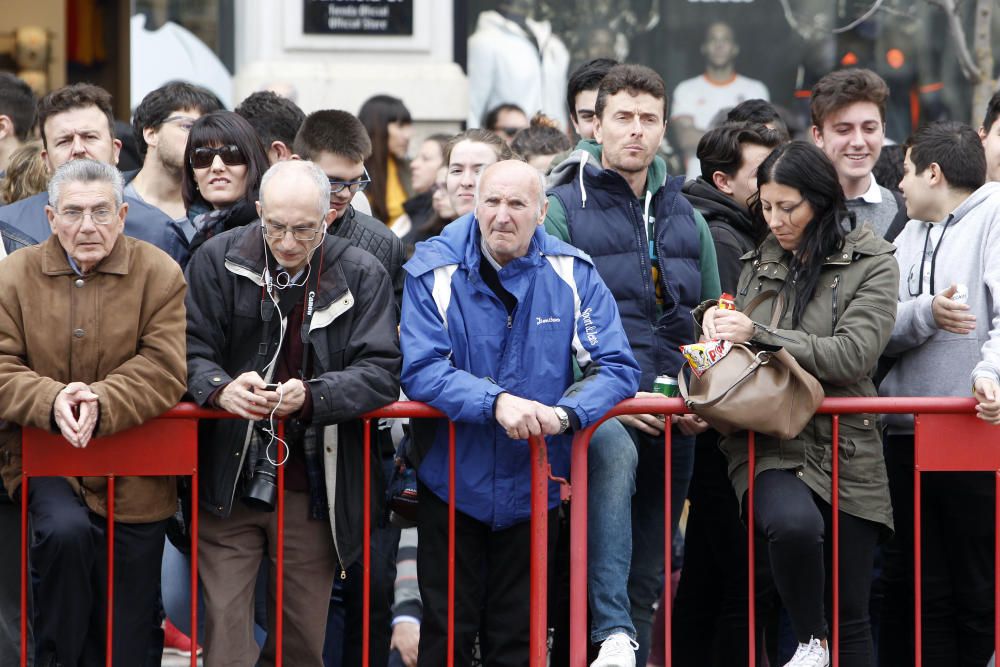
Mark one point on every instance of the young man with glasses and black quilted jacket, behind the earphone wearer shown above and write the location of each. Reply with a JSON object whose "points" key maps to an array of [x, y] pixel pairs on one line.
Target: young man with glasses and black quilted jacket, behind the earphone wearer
{"points": [[339, 144]]}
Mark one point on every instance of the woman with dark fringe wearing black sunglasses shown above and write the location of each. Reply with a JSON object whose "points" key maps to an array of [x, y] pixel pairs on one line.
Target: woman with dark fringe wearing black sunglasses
{"points": [[224, 161]]}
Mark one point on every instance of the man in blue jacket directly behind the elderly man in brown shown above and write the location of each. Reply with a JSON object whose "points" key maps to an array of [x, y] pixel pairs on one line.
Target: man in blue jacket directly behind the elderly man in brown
{"points": [[76, 122]]}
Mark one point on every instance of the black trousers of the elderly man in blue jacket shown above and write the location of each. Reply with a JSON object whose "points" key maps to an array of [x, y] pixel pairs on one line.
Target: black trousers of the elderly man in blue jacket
{"points": [[492, 586]]}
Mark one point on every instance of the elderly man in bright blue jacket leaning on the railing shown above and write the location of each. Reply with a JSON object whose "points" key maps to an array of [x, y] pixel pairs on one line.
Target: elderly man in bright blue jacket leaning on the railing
{"points": [[494, 312]]}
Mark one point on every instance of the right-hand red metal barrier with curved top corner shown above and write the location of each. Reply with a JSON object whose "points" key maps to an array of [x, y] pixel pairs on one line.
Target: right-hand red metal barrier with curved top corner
{"points": [[936, 419]]}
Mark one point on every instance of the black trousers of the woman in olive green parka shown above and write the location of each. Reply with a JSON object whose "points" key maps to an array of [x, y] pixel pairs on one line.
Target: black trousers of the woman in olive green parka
{"points": [[798, 528]]}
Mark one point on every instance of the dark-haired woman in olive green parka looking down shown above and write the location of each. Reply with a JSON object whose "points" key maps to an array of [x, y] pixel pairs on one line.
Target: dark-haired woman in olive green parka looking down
{"points": [[833, 290]]}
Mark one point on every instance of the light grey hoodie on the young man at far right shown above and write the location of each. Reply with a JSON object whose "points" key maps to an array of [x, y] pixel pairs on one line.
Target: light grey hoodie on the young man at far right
{"points": [[962, 249]]}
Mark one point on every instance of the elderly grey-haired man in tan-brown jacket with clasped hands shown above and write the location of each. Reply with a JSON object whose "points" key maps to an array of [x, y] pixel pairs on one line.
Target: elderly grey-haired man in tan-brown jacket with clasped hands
{"points": [[92, 342]]}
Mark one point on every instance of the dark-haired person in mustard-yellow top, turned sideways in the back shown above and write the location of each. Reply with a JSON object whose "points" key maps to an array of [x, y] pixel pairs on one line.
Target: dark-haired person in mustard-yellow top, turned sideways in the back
{"points": [[389, 126]]}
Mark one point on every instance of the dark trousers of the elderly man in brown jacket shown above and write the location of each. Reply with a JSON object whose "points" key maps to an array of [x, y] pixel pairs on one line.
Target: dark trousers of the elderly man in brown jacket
{"points": [[69, 557]]}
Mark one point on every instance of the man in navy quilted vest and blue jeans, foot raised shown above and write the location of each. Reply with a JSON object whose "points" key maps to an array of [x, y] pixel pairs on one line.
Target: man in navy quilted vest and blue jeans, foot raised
{"points": [[613, 199]]}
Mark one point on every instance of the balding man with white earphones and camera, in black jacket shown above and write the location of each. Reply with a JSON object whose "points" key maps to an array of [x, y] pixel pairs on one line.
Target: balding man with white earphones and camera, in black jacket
{"points": [[323, 329]]}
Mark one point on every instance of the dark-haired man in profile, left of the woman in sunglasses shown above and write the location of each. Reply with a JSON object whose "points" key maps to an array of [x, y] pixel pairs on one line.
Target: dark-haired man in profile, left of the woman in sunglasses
{"points": [[161, 124]]}
